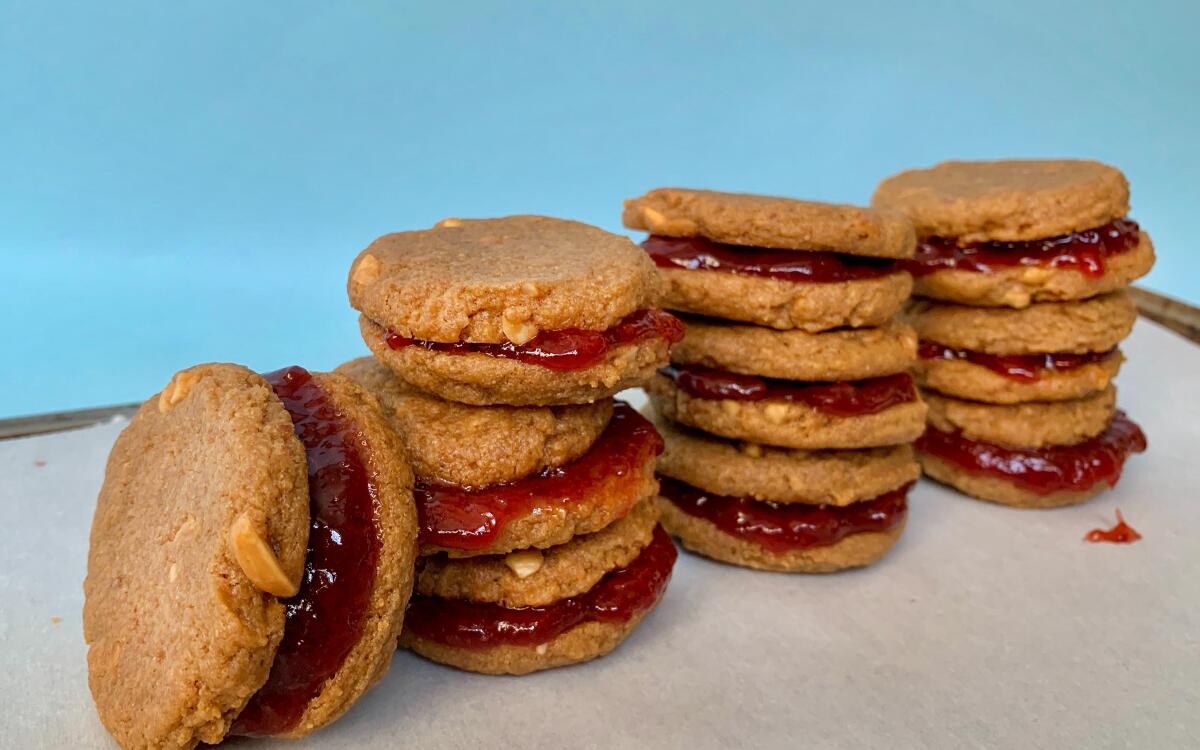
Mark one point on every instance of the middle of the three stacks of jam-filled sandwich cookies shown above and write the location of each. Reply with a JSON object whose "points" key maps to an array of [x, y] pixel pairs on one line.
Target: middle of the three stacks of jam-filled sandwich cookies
{"points": [[788, 409]]}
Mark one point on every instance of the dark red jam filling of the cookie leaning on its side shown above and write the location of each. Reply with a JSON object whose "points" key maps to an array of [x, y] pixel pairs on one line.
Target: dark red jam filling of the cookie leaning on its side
{"points": [[326, 620]]}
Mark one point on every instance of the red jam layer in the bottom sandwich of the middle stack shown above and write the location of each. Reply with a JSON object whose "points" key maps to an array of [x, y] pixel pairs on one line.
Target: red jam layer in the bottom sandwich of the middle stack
{"points": [[784, 527]]}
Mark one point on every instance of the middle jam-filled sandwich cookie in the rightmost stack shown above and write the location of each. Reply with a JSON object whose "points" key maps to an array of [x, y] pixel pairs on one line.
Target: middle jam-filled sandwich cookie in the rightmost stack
{"points": [[1047, 352]]}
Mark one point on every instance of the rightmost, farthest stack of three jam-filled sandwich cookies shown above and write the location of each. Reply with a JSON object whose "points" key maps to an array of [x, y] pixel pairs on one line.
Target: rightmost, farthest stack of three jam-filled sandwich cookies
{"points": [[1022, 268]]}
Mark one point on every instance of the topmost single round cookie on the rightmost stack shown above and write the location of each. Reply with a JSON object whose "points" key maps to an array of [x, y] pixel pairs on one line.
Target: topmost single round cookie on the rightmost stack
{"points": [[1007, 201]]}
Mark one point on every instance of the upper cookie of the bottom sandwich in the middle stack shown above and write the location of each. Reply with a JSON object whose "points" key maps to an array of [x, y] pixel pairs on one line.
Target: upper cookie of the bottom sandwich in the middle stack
{"points": [[749, 470]]}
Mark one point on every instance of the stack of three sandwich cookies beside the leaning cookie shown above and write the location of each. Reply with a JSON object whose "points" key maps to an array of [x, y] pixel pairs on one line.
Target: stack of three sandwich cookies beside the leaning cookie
{"points": [[499, 346]]}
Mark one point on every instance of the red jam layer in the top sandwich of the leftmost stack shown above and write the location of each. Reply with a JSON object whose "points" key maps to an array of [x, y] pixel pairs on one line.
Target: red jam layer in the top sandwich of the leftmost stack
{"points": [[567, 350]]}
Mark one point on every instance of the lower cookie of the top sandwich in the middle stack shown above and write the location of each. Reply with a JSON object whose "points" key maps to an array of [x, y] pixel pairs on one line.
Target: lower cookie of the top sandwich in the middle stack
{"points": [[787, 305]]}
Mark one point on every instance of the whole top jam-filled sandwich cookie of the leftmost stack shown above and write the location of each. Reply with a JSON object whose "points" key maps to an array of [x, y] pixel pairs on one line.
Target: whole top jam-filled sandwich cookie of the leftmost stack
{"points": [[520, 311]]}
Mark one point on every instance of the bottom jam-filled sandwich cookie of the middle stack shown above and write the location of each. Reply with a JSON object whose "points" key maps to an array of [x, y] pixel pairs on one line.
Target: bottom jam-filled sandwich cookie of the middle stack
{"points": [[783, 511]]}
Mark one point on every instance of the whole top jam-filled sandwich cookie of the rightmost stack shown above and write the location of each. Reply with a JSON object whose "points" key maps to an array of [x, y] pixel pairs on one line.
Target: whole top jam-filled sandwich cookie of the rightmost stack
{"points": [[1012, 233]]}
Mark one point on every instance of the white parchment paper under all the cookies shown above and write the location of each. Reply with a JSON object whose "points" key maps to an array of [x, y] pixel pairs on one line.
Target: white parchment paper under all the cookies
{"points": [[985, 628]]}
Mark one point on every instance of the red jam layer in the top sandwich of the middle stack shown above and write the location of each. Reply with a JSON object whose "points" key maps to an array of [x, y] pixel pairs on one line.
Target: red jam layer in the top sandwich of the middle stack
{"points": [[797, 267]]}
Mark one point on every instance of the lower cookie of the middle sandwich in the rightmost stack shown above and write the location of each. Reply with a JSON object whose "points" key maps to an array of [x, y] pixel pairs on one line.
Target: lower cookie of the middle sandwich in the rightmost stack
{"points": [[965, 380]]}
